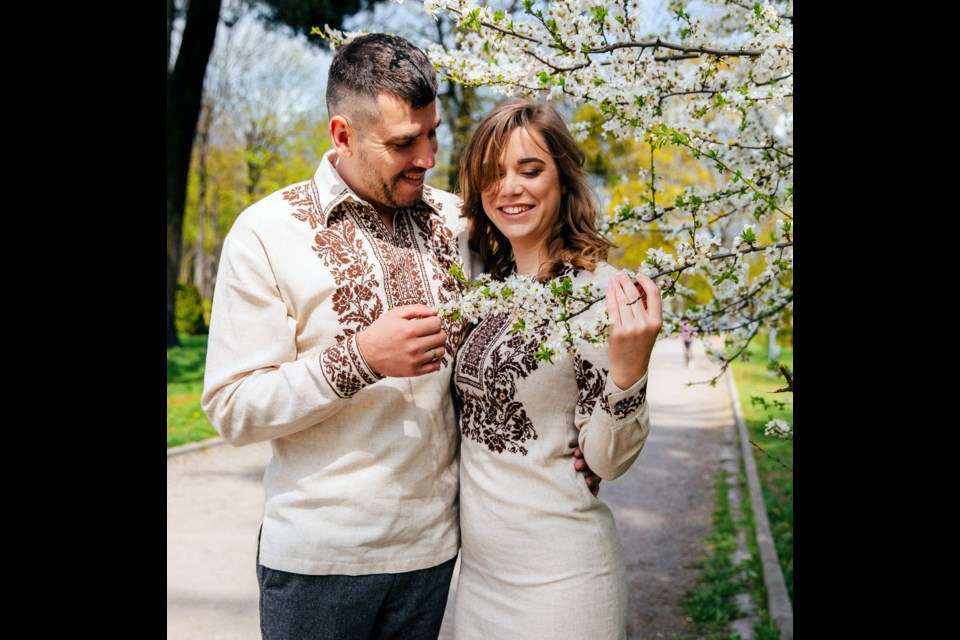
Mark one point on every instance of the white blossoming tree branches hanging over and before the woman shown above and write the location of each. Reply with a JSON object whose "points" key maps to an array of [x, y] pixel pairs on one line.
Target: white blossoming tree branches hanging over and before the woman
{"points": [[715, 79]]}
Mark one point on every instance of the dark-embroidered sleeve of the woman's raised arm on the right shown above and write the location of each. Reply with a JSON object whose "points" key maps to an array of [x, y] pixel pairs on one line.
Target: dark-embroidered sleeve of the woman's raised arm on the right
{"points": [[613, 422]]}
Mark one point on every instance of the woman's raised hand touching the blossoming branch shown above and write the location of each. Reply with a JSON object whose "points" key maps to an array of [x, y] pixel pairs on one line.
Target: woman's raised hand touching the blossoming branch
{"points": [[635, 320]]}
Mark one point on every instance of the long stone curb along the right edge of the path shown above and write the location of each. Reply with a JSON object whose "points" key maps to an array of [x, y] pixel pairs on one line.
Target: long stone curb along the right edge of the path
{"points": [[778, 602]]}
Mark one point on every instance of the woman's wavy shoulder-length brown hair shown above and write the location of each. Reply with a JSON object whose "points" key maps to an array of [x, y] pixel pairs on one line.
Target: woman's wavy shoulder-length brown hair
{"points": [[573, 239]]}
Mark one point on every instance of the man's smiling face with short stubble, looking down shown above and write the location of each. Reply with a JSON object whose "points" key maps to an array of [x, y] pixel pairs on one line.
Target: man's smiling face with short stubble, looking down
{"points": [[394, 152]]}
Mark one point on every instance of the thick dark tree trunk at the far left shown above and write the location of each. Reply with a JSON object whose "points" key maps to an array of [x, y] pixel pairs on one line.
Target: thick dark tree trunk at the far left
{"points": [[184, 95]]}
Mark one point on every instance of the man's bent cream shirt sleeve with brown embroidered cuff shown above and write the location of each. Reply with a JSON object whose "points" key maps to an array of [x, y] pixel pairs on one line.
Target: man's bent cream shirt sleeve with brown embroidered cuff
{"points": [[255, 386]]}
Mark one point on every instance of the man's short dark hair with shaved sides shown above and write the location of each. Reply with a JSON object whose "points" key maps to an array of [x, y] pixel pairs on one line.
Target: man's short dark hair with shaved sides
{"points": [[378, 63]]}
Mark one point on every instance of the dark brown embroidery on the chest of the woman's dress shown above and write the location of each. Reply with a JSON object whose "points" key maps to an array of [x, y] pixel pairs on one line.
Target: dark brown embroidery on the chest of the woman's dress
{"points": [[494, 417]]}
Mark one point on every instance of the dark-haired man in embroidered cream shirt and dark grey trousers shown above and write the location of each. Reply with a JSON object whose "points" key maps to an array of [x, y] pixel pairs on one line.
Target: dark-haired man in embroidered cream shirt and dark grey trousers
{"points": [[323, 341]]}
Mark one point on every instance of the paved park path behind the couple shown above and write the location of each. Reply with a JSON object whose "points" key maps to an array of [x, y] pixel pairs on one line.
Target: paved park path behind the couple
{"points": [[662, 506]]}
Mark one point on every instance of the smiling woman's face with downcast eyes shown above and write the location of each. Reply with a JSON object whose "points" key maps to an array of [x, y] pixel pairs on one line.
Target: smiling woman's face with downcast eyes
{"points": [[525, 202]]}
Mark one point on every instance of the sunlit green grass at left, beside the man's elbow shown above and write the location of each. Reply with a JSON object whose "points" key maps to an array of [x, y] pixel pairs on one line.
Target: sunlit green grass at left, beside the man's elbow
{"points": [[186, 421]]}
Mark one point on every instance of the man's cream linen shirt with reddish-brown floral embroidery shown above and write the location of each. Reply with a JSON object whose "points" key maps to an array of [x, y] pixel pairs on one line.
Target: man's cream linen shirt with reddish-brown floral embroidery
{"points": [[364, 473]]}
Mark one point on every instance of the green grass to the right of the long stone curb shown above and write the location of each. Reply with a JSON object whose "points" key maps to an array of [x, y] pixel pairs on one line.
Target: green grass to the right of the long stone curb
{"points": [[774, 456]]}
